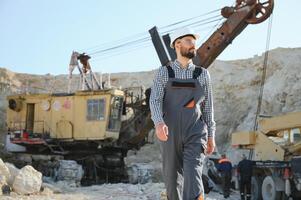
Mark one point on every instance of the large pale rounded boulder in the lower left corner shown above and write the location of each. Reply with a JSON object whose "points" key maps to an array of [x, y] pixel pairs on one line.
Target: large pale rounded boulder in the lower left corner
{"points": [[28, 181]]}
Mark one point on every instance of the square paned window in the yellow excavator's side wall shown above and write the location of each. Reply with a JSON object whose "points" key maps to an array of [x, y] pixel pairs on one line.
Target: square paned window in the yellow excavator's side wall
{"points": [[95, 109]]}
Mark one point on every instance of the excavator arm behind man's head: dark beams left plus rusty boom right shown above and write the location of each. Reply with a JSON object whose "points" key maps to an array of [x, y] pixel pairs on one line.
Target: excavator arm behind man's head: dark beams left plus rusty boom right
{"points": [[237, 19]]}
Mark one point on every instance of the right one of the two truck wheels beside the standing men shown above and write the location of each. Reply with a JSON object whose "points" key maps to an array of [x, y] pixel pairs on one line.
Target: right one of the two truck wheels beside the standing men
{"points": [[268, 189]]}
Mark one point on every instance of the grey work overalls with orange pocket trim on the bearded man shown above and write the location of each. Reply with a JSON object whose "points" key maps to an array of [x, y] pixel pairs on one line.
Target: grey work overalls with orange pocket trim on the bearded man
{"points": [[183, 152]]}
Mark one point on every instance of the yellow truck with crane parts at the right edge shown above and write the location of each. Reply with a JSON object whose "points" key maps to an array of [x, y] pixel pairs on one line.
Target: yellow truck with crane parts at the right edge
{"points": [[276, 151]]}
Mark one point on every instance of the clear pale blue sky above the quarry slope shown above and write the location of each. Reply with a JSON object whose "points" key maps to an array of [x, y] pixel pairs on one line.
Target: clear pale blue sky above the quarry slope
{"points": [[38, 36]]}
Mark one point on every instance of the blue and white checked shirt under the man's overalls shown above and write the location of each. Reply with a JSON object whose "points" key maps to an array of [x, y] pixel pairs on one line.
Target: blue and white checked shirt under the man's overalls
{"points": [[157, 94]]}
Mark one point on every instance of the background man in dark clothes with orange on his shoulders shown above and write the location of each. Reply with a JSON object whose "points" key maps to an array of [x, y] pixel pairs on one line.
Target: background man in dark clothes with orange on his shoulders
{"points": [[225, 167]]}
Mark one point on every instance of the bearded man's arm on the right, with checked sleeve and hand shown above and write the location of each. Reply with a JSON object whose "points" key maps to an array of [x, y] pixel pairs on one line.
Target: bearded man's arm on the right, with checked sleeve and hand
{"points": [[208, 113]]}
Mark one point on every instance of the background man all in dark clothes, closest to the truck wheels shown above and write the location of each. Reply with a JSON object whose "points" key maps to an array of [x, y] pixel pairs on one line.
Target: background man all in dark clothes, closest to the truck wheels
{"points": [[245, 168]]}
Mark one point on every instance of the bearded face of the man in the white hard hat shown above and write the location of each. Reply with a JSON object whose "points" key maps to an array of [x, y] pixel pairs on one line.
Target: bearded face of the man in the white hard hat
{"points": [[187, 47]]}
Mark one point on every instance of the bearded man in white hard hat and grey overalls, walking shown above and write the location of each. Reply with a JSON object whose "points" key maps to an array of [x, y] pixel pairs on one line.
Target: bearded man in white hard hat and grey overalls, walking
{"points": [[182, 111]]}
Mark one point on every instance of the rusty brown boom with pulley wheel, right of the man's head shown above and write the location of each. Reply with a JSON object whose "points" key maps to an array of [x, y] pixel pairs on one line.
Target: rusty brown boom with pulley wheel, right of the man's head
{"points": [[238, 18]]}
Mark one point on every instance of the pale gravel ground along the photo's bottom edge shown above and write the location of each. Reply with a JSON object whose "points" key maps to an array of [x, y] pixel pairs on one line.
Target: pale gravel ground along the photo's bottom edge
{"points": [[149, 191]]}
